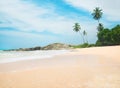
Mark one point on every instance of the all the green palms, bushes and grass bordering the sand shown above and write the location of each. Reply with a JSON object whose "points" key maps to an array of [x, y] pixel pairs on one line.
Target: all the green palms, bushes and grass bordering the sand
{"points": [[106, 36]]}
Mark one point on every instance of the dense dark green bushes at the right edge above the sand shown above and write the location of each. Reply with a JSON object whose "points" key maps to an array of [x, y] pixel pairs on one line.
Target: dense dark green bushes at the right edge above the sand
{"points": [[109, 36]]}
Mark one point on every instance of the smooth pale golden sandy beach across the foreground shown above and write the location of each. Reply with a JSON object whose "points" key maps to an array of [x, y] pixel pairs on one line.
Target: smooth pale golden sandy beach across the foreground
{"points": [[97, 67]]}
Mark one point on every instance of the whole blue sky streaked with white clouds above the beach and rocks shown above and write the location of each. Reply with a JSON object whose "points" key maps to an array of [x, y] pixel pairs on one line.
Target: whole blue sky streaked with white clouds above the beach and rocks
{"points": [[30, 23]]}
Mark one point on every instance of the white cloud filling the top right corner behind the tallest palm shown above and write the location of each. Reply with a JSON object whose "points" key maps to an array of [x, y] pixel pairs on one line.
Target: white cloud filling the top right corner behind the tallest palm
{"points": [[111, 8]]}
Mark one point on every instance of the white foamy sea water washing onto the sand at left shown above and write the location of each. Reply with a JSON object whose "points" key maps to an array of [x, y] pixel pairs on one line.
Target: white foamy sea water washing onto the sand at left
{"points": [[13, 56]]}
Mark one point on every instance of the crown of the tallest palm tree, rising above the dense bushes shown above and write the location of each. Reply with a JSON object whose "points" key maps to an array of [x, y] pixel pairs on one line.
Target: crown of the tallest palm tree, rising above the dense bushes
{"points": [[97, 14]]}
